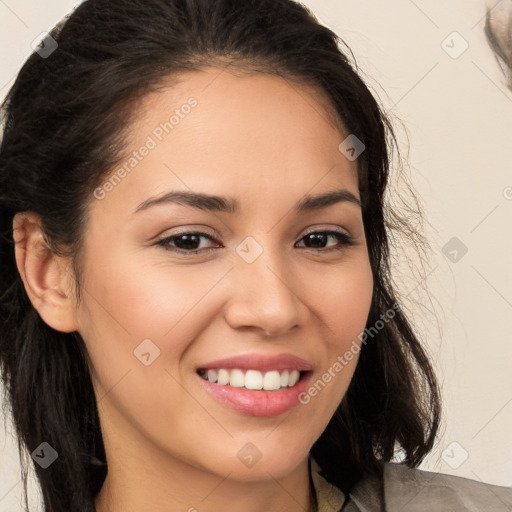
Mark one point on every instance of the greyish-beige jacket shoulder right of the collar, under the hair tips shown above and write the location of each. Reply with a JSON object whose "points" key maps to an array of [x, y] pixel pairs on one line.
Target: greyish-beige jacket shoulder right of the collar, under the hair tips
{"points": [[409, 489]]}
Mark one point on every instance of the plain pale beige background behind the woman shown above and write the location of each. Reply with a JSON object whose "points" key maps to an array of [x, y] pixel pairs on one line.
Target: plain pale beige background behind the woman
{"points": [[456, 126]]}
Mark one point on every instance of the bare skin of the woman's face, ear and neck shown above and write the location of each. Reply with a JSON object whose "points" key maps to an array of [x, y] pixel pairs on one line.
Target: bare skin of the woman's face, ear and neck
{"points": [[170, 446]]}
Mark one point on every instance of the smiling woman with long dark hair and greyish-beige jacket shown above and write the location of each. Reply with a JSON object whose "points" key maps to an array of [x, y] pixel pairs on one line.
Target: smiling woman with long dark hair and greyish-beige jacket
{"points": [[270, 369]]}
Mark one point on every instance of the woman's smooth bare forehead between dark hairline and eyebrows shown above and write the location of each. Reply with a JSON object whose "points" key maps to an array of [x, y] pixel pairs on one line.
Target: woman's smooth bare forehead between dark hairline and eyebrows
{"points": [[208, 129]]}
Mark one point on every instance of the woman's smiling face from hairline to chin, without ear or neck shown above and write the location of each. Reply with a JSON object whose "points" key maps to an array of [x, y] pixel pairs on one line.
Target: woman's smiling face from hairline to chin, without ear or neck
{"points": [[251, 287]]}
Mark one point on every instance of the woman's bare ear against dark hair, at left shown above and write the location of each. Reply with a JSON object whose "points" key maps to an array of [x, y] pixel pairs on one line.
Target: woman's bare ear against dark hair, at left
{"points": [[46, 276]]}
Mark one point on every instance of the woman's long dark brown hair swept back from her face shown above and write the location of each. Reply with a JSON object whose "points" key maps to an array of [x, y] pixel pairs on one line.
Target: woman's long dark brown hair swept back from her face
{"points": [[65, 125]]}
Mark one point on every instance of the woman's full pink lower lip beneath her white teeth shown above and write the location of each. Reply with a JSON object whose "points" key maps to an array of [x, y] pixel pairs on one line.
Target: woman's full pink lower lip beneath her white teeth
{"points": [[258, 402]]}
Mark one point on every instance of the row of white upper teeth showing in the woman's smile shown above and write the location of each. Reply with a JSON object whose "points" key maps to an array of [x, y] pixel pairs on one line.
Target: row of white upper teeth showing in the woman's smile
{"points": [[252, 379]]}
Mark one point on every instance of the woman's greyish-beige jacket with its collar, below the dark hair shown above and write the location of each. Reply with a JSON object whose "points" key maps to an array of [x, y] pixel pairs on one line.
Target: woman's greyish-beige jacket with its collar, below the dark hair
{"points": [[403, 489]]}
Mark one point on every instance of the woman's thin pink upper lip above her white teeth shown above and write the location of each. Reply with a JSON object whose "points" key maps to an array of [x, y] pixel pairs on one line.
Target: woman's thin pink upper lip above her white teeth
{"points": [[261, 362]]}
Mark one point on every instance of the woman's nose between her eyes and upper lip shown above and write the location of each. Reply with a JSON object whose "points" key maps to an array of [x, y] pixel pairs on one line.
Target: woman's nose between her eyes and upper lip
{"points": [[264, 296]]}
